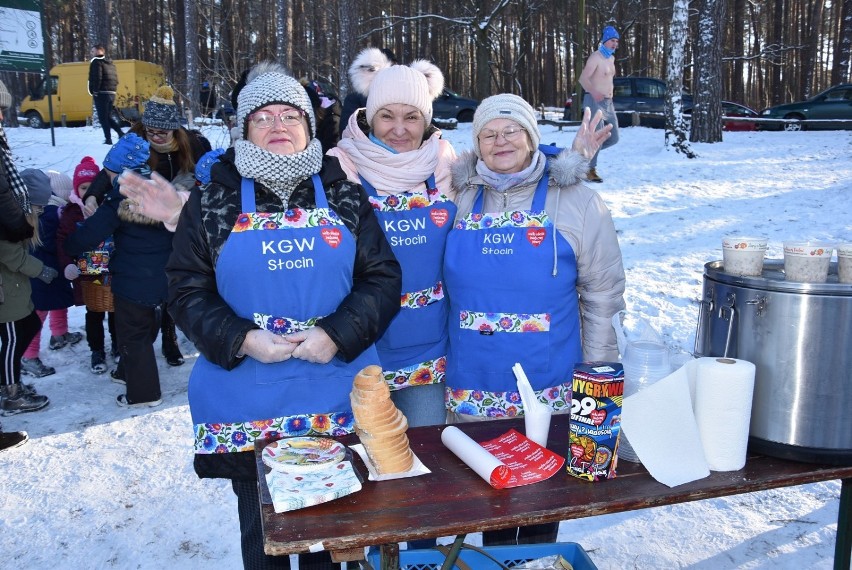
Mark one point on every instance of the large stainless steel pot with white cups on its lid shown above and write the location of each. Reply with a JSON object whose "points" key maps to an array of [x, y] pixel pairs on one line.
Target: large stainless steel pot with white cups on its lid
{"points": [[799, 336]]}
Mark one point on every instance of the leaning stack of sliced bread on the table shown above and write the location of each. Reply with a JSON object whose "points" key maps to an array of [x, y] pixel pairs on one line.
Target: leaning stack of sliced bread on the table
{"points": [[379, 424]]}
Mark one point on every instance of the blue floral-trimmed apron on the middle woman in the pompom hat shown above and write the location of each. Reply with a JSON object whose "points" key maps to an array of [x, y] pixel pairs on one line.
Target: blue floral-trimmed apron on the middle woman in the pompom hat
{"points": [[413, 349]]}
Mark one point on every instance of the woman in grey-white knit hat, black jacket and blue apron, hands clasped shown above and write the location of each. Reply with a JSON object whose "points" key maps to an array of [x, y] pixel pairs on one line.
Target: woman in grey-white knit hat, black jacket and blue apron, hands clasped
{"points": [[282, 278]]}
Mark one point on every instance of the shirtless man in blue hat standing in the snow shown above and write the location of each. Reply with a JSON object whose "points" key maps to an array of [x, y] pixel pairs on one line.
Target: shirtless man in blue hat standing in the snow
{"points": [[596, 80]]}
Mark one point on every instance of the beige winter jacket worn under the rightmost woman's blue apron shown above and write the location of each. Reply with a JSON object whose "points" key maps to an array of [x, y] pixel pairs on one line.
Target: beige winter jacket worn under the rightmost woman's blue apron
{"points": [[582, 218]]}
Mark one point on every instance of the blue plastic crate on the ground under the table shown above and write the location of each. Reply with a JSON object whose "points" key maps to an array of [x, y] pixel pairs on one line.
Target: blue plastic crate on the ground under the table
{"points": [[430, 559]]}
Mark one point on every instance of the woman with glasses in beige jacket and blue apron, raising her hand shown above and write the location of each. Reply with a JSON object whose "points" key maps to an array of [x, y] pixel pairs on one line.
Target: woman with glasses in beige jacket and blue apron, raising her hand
{"points": [[534, 272]]}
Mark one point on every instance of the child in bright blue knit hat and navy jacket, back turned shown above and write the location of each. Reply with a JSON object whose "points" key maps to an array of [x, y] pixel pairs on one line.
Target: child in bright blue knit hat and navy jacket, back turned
{"points": [[137, 269]]}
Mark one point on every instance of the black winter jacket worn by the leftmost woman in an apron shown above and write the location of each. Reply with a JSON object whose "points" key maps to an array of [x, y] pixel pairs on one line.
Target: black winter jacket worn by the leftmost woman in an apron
{"points": [[205, 224]]}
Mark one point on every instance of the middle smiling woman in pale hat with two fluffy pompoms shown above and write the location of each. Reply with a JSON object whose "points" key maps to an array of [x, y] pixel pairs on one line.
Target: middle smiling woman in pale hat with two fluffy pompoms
{"points": [[394, 151]]}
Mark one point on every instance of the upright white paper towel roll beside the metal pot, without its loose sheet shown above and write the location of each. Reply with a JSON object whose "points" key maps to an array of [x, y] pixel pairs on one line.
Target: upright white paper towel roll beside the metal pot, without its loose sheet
{"points": [[722, 404]]}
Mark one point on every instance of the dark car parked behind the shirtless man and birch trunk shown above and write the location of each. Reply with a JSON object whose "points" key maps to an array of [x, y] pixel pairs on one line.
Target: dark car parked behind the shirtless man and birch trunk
{"points": [[641, 95]]}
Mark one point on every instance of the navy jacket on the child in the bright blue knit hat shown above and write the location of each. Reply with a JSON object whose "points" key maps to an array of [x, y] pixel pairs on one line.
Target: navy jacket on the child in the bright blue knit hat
{"points": [[142, 247]]}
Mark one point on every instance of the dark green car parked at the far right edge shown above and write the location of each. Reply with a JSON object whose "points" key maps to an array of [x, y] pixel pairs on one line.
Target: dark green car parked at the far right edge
{"points": [[833, 103]]}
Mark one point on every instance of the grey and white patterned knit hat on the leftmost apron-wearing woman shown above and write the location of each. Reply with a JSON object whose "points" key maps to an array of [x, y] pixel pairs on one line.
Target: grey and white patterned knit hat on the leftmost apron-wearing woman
{"points": [[268, 83]]}
